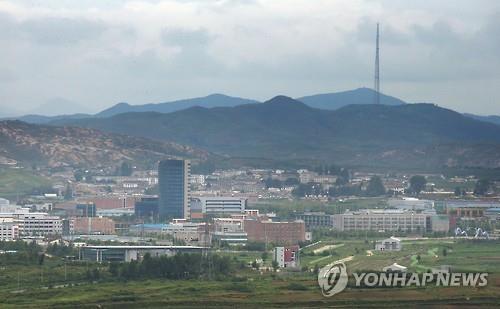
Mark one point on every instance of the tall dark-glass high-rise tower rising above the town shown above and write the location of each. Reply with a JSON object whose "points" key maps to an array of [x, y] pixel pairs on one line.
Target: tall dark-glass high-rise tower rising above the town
{"points": [[173, 182]]}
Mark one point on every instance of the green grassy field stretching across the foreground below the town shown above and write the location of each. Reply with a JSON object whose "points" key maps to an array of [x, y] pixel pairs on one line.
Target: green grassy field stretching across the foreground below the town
{"points": [[67, 287]]}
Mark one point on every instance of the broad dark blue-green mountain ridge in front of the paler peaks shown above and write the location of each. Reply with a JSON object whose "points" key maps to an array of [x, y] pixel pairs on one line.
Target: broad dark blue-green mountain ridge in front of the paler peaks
{"points": [[286, 129]]}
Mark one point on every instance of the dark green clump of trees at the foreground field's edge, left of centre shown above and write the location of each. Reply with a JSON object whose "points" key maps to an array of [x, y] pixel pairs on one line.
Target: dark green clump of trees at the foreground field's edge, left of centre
{"points": [[179, 266]]}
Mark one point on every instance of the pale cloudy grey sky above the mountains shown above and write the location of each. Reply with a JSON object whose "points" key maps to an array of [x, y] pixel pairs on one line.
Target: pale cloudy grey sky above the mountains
{"points": [[87, 55]]}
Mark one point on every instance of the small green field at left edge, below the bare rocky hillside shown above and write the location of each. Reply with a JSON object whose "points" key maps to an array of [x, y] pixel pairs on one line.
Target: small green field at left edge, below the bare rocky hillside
{"points": [[19, 182]]}
